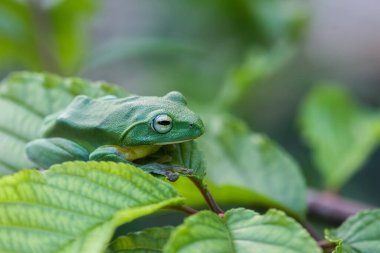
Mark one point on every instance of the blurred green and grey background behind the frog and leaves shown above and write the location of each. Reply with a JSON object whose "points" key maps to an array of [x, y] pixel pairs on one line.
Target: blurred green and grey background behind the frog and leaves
{"points": [[274, 50]]}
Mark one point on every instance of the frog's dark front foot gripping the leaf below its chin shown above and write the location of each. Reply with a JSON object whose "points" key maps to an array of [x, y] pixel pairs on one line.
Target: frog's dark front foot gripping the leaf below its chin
{"points": [[171, 172]]}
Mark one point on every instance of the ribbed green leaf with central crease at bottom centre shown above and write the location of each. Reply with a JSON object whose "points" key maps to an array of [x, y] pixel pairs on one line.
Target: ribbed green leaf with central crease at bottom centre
{"points": [[241, 230]]}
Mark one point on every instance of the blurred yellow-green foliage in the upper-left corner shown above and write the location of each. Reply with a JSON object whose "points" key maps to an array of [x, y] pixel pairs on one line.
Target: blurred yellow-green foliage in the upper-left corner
{"points": [[43, 35]]}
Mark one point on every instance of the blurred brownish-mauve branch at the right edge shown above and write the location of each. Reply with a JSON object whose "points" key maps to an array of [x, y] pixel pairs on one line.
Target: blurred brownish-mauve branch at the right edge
{"points": [[332, 207]]}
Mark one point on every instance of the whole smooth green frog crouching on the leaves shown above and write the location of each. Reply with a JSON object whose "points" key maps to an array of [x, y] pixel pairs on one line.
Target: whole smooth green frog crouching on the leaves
{"points": [[114, 129]]}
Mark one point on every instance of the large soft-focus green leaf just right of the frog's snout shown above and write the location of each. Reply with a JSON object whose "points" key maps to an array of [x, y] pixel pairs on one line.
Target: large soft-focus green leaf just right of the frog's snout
{"points": [[242, 166]]}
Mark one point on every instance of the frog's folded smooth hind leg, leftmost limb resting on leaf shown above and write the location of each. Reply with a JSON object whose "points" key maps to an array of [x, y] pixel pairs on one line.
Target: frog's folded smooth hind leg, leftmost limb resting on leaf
{"points": [[49, 151]]}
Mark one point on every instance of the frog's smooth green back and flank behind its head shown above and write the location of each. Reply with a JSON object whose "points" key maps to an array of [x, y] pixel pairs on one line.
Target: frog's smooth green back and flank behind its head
{"points": [[85, 121]]}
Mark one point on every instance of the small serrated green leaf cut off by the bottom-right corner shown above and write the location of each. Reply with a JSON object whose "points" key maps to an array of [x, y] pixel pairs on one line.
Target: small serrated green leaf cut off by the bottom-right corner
{"points": [[358, 234]]}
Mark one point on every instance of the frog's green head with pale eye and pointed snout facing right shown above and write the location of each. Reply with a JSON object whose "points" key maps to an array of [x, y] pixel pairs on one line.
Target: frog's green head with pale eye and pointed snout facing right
{"points": [[162, 120]]}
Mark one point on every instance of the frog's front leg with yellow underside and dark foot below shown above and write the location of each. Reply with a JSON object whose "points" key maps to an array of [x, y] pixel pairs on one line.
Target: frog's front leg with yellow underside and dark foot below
{"points": [[127, 155]]}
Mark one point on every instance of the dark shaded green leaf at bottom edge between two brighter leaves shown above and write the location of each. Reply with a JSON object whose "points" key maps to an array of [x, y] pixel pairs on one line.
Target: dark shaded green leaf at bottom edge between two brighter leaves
{"points": [[151, 240]]}
